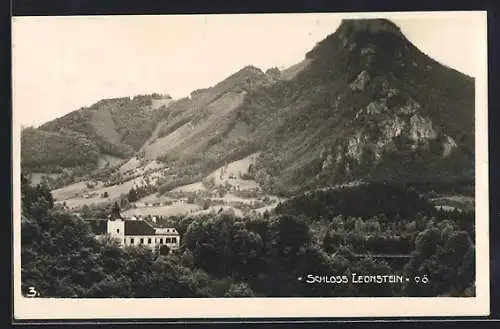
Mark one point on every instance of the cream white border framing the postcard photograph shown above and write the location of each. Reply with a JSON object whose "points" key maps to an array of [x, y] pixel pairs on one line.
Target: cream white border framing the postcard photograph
{"points": [[38, 309]]}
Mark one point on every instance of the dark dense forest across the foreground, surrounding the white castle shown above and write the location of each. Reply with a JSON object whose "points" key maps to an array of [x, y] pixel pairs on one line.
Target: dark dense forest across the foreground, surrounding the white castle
{"points": [[260, 255]]}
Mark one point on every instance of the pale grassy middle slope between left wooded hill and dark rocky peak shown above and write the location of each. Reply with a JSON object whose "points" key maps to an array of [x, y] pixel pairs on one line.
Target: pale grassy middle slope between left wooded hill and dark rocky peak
{"points": [[204, 119]]}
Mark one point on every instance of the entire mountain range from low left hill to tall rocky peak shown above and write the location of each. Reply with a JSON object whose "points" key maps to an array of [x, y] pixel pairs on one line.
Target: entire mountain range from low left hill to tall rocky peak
{"points": [[364, 105]]}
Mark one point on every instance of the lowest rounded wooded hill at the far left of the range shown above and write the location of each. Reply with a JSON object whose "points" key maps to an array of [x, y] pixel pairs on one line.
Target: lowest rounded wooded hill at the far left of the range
{"points": [[115, 127]]}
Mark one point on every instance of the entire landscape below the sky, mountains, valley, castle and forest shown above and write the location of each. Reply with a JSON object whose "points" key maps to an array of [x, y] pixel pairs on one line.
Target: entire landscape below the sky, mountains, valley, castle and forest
{"points": [[360, 158]]}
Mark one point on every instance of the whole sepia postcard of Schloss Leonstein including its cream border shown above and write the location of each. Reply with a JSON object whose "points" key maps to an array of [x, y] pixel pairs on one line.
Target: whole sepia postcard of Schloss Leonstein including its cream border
{"points": [[248, 162]]}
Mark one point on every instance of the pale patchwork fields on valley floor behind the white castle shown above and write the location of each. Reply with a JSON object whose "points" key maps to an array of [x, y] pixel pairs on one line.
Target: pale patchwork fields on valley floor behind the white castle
{"points": [[240, 196]]}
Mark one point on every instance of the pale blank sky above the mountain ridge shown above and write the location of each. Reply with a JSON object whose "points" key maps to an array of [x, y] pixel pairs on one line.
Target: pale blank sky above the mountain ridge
{"points": [[61, 64]]}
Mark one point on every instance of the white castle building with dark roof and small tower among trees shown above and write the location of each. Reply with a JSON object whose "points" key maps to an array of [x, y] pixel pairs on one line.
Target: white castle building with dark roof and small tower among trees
{"points": [[136, 232]]}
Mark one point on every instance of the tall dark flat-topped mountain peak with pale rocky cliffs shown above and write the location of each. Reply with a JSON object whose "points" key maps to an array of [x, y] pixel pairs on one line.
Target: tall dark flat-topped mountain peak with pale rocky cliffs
{"points": [[368, 106]]}
